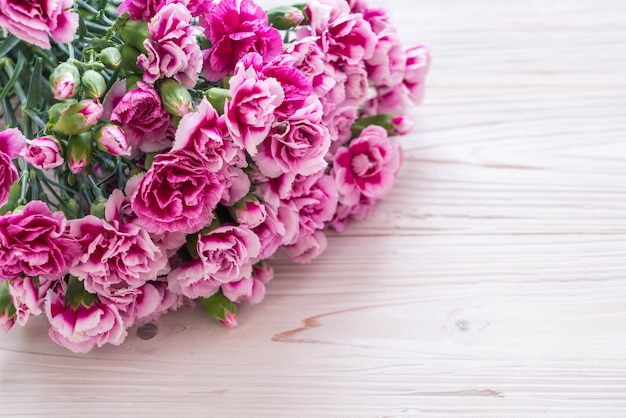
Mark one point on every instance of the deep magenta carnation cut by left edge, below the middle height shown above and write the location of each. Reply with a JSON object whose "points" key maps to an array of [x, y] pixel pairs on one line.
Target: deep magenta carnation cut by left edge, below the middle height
{"points": [[35, 243]]}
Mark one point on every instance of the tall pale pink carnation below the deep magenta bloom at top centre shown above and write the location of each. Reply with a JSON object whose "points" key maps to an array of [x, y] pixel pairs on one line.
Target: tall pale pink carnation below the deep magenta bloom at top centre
{"points": [[250, 112]]}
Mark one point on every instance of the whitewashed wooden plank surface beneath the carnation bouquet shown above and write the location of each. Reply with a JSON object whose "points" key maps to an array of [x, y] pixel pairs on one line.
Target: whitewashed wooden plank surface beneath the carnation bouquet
{"points": [[490, 283]]}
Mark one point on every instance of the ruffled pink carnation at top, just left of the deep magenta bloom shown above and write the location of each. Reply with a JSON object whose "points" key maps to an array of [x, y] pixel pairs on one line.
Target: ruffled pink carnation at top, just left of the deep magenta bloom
{"points": [[173, 50]]}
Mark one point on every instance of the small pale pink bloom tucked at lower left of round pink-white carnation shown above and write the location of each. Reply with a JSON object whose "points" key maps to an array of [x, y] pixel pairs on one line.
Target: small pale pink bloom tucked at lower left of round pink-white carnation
{"points": [[192, 281]]}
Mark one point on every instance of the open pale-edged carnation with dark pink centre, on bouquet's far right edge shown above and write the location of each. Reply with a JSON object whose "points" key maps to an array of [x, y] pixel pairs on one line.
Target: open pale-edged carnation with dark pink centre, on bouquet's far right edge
{"points": [[367, 166]]}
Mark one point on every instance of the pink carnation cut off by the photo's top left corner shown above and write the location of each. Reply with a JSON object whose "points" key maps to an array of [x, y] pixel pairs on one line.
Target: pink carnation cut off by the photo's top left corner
{"points": [[33, 21]]}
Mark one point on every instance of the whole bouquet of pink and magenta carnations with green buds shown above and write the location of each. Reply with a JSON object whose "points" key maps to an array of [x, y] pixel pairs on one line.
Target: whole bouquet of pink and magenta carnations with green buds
{"points": [[155, 153]]}
